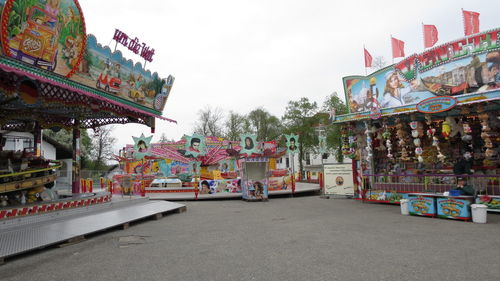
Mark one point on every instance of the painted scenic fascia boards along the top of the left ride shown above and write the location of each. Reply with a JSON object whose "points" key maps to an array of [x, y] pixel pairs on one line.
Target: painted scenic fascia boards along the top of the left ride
{"points": [[50, 34]]}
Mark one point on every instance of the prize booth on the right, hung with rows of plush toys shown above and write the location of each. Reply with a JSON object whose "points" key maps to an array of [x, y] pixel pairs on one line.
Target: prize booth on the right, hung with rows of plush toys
{"points": [[427, 128]]}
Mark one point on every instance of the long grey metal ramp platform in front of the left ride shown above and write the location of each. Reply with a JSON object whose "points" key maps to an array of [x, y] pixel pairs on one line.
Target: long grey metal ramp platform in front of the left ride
{"points": [[20, 235]]}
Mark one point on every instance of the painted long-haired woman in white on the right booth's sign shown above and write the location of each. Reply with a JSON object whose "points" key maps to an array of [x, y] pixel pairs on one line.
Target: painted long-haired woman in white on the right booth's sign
{"points": [[395, 93]]}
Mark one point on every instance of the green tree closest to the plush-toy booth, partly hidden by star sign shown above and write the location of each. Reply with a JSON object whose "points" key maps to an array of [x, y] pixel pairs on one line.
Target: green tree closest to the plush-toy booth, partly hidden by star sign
{"points": [[333, 139]]}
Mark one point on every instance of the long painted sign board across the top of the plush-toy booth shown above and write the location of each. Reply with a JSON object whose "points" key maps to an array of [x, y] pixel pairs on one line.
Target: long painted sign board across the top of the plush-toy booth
{"points": [[464, 66]]}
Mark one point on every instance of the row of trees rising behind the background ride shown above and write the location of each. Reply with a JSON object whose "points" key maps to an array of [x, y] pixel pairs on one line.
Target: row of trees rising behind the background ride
{"points": [[302, 117]]}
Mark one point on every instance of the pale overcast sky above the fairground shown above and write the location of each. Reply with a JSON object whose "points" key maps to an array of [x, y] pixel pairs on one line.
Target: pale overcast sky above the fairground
{"points": [[240, 55]]}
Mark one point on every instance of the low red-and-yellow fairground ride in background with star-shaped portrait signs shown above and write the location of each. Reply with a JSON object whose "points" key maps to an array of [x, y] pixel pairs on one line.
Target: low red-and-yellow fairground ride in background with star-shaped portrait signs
{"points": [[200, 167]]}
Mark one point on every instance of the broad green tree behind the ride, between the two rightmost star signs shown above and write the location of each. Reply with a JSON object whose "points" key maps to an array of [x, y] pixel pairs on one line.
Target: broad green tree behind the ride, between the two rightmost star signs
{"points": [[300, 118]]}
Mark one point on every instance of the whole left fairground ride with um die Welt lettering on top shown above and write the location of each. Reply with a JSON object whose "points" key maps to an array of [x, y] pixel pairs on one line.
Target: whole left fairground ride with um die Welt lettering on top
{"points": [[53, 76]]}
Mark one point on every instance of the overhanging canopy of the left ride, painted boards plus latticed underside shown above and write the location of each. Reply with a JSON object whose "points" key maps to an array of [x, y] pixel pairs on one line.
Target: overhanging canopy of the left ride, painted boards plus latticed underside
{"points": [[52, 72]]}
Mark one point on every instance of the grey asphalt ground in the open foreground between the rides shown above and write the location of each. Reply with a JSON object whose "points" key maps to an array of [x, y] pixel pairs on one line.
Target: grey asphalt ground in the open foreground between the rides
{"points": [[303, 238]]}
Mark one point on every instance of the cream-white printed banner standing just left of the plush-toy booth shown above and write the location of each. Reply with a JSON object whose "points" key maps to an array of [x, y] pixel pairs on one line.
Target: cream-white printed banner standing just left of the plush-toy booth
{"points": [[338, 179]]}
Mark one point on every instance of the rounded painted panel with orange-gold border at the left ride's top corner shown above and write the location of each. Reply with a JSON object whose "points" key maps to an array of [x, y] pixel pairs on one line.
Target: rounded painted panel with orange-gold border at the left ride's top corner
{"points": [[48, 34]]}
